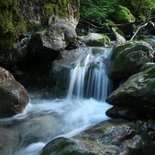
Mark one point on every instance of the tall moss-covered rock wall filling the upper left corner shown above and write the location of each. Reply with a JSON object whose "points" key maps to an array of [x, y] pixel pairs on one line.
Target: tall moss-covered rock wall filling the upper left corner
{"points": [[18, 19]]}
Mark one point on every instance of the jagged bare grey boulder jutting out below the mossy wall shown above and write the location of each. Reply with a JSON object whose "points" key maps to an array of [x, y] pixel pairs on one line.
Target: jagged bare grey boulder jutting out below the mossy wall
{"points": [[57, 36]]}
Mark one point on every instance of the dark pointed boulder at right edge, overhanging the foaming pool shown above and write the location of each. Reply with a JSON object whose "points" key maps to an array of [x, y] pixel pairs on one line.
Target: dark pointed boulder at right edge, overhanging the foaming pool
{"points": [[138, 92]]}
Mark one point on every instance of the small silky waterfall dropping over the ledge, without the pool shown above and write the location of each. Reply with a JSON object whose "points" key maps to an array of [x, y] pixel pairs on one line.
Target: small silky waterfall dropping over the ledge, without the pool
{"points": [[89, 78]]}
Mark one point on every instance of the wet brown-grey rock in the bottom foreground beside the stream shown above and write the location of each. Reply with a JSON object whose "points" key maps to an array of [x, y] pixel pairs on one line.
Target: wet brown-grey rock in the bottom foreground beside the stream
{"points": [[110, 137]]}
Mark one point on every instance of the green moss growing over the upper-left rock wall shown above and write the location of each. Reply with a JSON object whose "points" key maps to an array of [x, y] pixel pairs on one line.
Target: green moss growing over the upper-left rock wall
{"points": [[14, 22]]}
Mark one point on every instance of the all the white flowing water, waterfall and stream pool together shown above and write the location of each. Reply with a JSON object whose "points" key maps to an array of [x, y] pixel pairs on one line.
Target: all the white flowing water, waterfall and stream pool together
{"points": [[84, 106]]}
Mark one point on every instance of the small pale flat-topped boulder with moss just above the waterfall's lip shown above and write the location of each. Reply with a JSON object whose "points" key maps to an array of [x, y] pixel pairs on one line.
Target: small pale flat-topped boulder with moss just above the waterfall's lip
{"points": [[95, 39]]}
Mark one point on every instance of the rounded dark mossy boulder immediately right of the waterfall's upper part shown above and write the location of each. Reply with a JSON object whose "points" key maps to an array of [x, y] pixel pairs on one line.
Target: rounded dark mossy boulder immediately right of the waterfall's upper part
{"points": [[127, 59]]}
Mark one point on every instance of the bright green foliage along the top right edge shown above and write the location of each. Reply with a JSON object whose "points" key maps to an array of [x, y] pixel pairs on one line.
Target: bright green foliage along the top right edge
{"points": [[100, 10]]}
